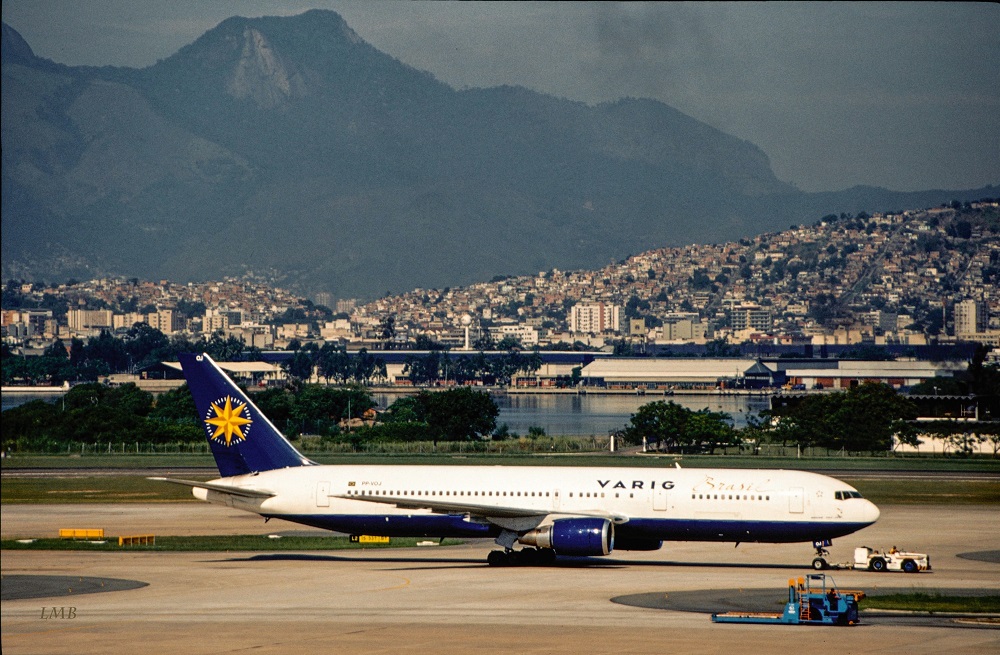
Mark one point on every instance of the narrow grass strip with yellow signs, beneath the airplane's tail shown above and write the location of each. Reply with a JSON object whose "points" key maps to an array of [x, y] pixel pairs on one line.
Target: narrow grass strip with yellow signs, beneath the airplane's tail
{"points": [[218, 544]]}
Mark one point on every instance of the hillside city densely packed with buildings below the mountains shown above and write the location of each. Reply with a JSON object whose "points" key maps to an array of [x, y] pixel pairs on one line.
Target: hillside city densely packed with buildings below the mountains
{"points": [[910, 277]]}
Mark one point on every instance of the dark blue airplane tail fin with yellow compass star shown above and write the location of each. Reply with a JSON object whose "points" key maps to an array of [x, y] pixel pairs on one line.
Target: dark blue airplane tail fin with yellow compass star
{"points": [[242, 439]]}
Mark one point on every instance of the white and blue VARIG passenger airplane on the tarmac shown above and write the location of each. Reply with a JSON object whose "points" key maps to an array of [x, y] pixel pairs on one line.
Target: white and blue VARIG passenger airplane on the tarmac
{"points": [[549, 509]]}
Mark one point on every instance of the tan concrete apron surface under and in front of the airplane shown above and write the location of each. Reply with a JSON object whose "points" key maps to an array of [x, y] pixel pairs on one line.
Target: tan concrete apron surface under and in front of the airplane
{"points": [[446, 600]]}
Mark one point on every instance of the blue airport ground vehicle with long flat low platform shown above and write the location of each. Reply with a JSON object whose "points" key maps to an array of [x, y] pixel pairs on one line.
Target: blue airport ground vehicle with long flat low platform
{"points": [[813, 600]]}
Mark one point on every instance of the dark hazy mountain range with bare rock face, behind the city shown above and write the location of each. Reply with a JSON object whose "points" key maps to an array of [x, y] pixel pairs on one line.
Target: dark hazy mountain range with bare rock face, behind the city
{"points": [[292, 149]]}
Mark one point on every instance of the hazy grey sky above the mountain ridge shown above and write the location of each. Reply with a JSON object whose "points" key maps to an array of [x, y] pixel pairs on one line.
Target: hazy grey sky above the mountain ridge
{"points": [[900, 95]]}
